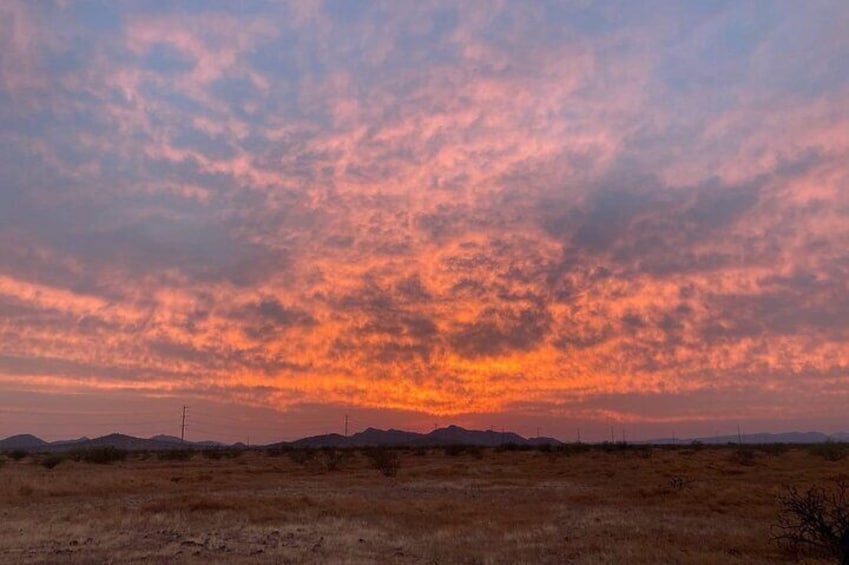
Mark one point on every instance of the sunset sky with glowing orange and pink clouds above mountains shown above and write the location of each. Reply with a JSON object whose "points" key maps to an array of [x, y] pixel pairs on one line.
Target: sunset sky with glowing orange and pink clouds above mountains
{"points": [[540, 216]]}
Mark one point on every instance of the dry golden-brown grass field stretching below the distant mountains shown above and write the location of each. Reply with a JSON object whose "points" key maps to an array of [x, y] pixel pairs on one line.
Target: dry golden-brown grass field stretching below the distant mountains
{"points": [[683, 505]]}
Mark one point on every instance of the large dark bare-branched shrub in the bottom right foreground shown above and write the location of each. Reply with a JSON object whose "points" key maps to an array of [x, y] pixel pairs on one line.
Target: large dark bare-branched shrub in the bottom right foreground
{"points": [[816, 520]]}
